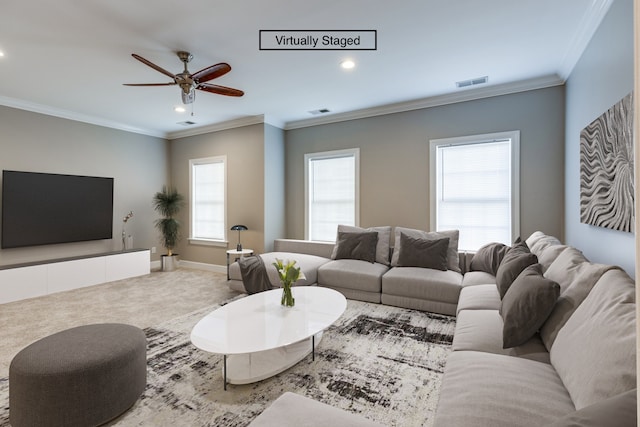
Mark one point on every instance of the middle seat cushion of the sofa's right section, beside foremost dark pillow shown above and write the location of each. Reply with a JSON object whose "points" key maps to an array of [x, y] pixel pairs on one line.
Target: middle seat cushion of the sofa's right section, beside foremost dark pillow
{"points": [[481, 330]]}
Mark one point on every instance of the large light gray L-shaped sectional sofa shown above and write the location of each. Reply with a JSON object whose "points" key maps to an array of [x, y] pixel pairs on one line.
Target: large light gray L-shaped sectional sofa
{"points": [[575, 362]]}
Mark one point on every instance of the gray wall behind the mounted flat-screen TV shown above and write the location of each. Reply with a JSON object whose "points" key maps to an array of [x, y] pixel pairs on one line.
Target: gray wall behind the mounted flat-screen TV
{"points": [[40, 143]]}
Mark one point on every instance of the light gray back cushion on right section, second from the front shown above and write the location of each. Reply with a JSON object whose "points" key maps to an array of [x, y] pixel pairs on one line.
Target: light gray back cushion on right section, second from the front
{"points": [[570, 299]]}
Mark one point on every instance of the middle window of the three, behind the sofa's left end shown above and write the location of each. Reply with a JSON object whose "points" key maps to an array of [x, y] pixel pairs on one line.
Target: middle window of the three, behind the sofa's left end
{"points": [[331, 192]]}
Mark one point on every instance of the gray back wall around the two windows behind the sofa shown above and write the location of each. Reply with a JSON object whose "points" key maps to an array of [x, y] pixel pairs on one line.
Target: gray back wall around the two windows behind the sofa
{"points": [[394, 158]]}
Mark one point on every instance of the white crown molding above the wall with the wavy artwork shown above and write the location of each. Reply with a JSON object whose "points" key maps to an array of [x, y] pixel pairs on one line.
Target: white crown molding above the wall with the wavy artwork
{"points": [[588, 27]]}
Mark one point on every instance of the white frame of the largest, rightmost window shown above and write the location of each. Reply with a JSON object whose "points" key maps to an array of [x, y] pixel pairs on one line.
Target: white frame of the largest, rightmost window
{"points": [[514, 137]]}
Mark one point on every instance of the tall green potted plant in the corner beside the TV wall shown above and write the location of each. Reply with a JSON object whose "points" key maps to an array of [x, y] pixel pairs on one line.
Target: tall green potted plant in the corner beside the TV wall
{"points": [[168, 203]]}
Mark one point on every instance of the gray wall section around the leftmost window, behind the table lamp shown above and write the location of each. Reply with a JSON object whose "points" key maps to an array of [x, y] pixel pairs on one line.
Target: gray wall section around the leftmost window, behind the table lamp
{"points": [[244, 148]]}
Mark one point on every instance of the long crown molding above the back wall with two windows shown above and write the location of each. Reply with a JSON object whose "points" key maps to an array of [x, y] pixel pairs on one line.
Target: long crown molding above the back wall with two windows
{"points": [[434, 101]]}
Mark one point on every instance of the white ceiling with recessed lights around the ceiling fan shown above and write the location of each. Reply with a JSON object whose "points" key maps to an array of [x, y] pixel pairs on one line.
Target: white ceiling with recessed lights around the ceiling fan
{"points": [[69, 58]]}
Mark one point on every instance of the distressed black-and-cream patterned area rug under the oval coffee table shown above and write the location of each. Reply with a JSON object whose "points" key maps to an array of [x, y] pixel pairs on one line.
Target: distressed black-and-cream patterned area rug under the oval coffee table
{"points": [[382, 362]]}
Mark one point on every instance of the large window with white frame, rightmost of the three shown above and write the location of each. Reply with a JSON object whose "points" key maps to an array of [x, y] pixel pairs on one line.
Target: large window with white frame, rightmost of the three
{"points": [[475, 187]]}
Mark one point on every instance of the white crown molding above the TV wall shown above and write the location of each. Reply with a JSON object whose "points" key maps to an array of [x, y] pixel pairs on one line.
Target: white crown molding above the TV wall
{"points": [[70, 115]]}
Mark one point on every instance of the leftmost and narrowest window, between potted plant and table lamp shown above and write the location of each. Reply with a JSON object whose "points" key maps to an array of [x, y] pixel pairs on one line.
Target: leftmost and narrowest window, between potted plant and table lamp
{"points": [[208, 197]]}
